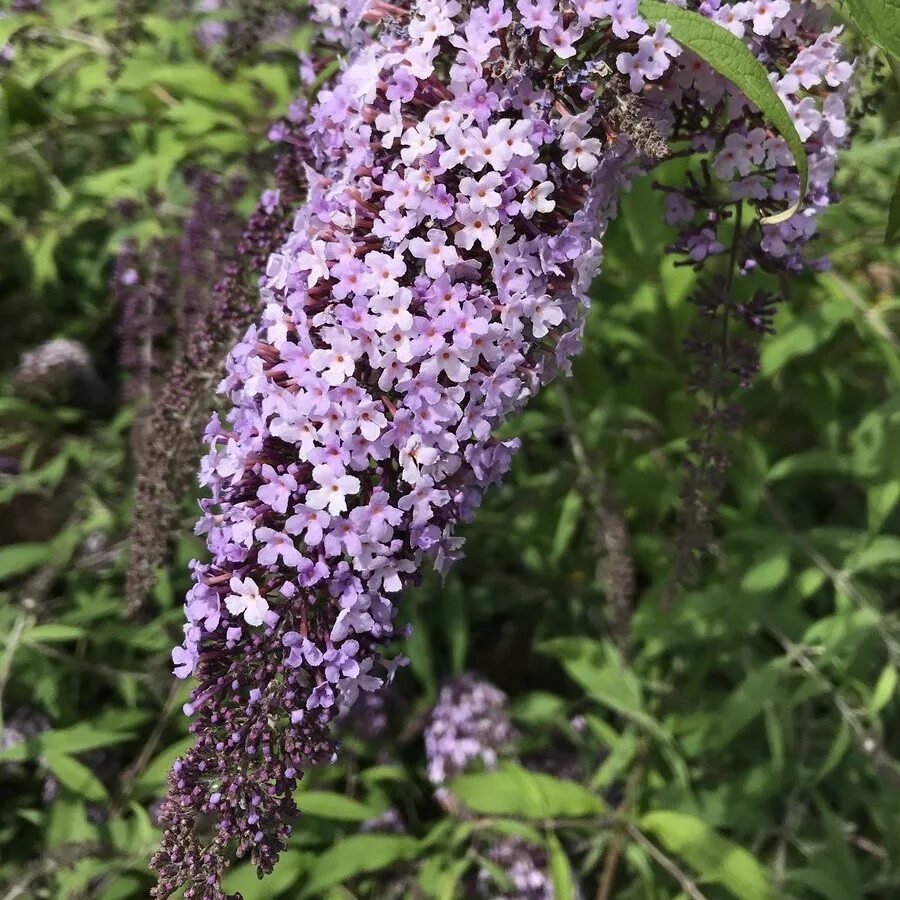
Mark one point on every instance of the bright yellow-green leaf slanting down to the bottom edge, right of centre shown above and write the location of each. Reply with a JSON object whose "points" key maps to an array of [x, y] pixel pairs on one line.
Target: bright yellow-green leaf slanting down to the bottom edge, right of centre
{"points": [[712, 856]]}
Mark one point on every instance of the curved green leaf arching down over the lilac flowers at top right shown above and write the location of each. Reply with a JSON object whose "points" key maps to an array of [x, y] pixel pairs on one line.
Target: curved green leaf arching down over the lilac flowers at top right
{"points": [[731, 58]]}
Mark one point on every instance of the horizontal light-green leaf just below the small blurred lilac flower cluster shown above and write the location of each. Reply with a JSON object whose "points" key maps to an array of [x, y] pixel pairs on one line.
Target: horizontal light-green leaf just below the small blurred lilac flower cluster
{"points": [[514, 791]]}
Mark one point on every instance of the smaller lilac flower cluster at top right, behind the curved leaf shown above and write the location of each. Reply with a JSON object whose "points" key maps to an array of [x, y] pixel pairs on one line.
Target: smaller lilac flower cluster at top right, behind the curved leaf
{"points": [[752, 164]]}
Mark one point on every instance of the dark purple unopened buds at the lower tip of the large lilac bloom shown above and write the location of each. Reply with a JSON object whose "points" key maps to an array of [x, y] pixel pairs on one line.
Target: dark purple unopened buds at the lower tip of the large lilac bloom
{"points": [[231, 794]]}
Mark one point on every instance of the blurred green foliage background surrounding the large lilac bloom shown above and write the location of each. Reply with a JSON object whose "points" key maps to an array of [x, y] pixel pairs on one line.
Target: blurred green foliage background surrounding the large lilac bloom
{"points": [[565, 728]]}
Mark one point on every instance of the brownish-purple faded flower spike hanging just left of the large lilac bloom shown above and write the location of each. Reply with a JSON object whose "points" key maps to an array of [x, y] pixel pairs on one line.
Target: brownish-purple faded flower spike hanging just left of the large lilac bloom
{"points": [[219, 268]]}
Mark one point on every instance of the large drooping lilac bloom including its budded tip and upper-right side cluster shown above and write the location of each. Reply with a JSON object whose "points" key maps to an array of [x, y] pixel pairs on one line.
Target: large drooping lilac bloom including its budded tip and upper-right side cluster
{"points": [[464, 164]]}
